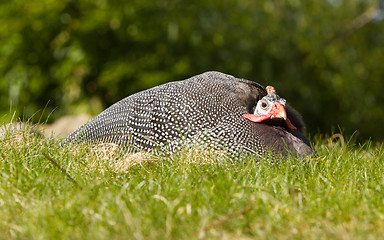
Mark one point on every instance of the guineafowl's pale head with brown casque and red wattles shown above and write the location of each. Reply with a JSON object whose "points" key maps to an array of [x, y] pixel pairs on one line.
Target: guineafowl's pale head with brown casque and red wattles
{"points": [[270, 109]]}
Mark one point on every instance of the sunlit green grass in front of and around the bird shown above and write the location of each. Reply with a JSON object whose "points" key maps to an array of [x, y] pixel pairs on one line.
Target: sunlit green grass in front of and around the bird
{"points": [[337, 195]]}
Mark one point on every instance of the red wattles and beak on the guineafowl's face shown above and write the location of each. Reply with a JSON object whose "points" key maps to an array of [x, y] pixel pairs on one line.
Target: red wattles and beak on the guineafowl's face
{"points": [[277, 112]]}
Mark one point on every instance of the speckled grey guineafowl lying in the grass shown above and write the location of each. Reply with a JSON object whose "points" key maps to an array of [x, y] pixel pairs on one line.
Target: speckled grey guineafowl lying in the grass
{"points": [[212, 109]]}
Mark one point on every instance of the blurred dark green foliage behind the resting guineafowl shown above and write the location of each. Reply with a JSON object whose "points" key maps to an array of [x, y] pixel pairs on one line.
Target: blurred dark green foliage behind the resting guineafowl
{"points": [[326, 57]]}
